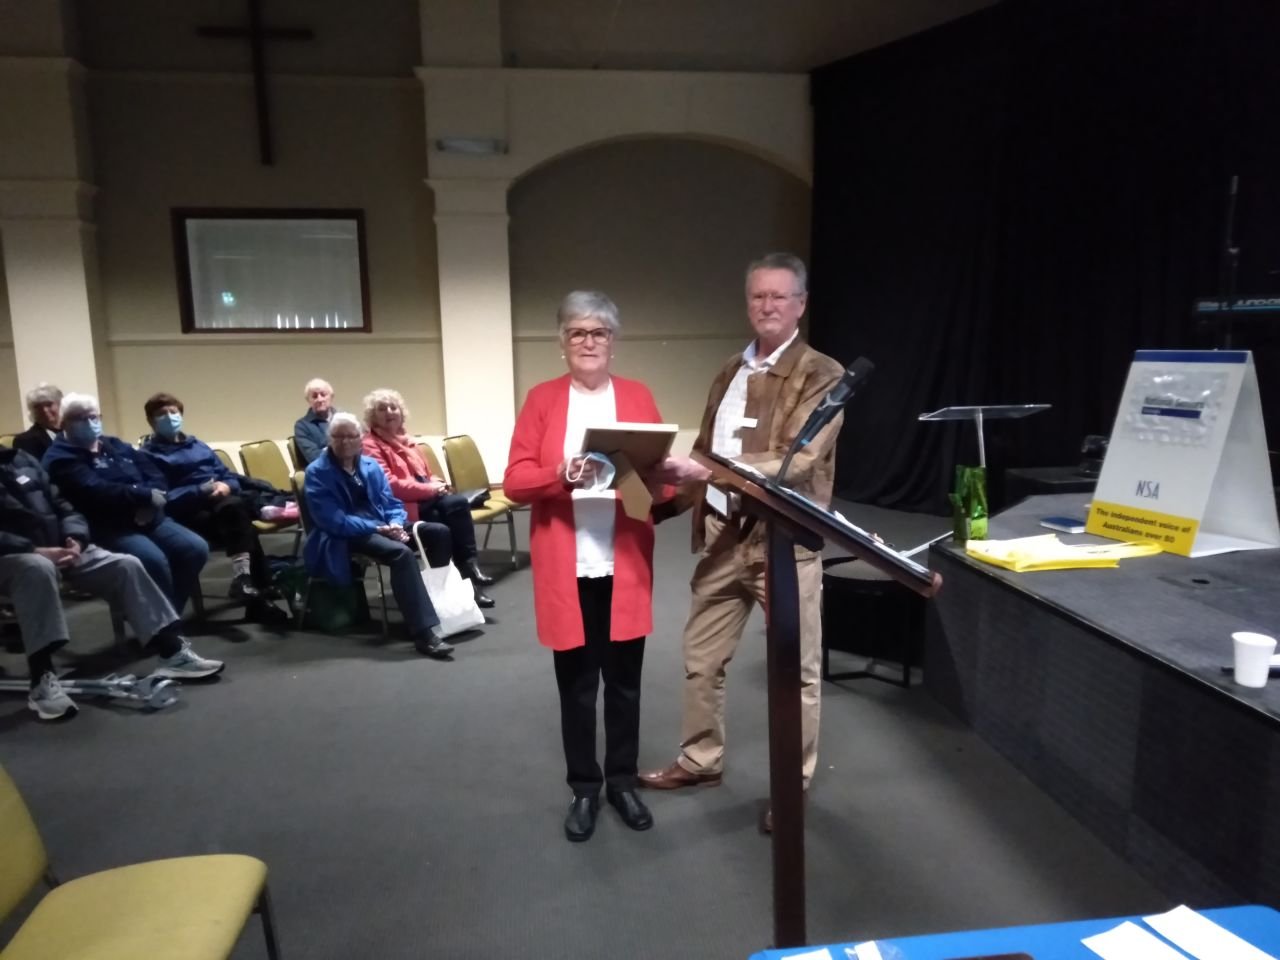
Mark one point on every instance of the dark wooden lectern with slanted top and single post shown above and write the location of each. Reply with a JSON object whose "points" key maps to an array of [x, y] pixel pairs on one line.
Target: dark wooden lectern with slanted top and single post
{"points": [[793, 520]]}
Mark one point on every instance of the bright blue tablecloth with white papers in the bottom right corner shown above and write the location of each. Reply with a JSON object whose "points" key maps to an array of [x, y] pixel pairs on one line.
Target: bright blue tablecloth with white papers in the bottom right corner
{"points": [[1052, 941]]}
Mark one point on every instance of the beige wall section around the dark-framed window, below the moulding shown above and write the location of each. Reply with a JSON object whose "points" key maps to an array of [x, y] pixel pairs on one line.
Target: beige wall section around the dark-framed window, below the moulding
{"points": [[189, 140]]}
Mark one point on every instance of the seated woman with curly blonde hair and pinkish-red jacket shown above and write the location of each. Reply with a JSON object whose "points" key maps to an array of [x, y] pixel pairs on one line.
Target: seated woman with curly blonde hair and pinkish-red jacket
{"points": [[447, 529]]}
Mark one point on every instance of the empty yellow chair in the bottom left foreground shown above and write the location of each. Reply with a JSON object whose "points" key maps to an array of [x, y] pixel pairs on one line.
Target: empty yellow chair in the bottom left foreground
{"points": [[190, 907]]}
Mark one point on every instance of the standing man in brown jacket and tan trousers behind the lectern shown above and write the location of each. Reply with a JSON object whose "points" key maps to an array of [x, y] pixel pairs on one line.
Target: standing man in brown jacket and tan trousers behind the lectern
{"points": [[757, 406]]}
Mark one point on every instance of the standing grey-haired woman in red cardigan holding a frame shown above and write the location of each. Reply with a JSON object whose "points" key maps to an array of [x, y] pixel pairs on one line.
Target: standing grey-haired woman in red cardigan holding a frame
{"points": [[593, 565]]}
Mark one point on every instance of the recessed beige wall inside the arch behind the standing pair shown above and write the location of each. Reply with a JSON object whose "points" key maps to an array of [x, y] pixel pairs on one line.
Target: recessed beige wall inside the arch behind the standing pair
{"points": [[665, 227]]}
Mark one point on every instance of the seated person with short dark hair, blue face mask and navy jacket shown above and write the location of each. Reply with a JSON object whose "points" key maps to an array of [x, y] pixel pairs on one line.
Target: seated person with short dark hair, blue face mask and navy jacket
{"points": [[204, 496]]}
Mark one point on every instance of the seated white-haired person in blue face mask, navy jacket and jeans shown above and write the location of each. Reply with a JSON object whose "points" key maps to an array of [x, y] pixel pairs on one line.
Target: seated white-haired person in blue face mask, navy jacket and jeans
{"points": [[124, 497]]}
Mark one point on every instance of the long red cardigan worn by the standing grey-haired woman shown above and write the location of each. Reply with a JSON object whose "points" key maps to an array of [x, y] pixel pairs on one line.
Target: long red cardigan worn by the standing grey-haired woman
{"points": [[537, 451]]}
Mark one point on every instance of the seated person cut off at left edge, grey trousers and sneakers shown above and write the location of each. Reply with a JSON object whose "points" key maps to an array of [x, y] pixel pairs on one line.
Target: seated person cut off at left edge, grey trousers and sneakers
{"points": [[43, 537]]}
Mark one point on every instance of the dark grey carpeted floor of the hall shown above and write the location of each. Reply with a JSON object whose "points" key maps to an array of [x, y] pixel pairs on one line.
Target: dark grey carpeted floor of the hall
{"points": [[413, 810]]}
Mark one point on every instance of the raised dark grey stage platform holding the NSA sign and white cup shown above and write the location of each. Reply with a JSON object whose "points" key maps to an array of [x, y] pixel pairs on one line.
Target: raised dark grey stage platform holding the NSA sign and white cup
{"points": [[1105, 688]]}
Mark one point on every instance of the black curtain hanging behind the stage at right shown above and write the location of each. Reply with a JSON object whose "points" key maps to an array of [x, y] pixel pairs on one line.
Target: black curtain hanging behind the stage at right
{"points": [[1009, 205]]}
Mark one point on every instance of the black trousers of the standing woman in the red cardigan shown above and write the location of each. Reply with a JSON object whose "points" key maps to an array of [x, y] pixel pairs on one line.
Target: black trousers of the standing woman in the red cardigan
{"points": [[578, 675]]}
